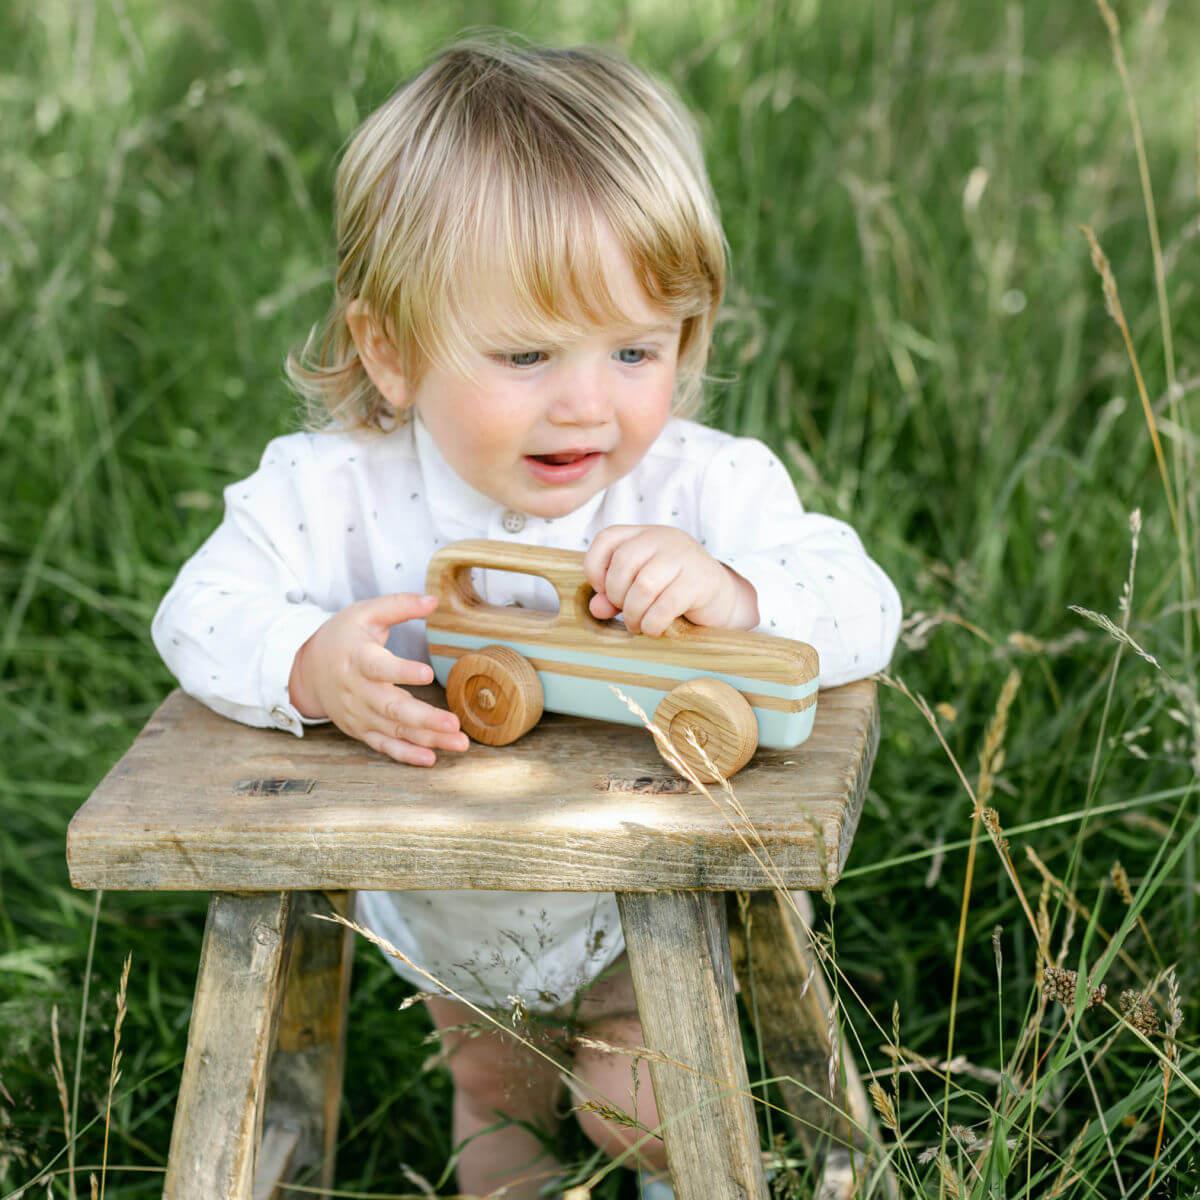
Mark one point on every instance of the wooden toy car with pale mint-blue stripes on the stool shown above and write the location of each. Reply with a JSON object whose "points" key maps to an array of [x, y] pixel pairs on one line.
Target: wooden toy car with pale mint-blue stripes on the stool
{"points": [[503, 667]]}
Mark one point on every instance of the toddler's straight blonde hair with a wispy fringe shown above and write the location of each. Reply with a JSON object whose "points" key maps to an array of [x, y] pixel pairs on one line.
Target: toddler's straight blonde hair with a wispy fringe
{"points": [[502, 161]]}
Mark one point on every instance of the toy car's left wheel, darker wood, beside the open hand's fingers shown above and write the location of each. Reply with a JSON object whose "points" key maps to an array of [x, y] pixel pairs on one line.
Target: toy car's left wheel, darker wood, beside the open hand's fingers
{"points": [[496, 695]]}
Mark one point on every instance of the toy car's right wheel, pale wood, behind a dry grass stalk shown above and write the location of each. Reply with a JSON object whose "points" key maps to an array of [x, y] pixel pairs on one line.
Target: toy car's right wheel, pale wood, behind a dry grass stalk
{"points": [[722, 719]]}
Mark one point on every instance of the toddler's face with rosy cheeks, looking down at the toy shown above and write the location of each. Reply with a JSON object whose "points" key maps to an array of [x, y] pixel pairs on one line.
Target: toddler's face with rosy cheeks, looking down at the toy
{"points": [[607, 395]]}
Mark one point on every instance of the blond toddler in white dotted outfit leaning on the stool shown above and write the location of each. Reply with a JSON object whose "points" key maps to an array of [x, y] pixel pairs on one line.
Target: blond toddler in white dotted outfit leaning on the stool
{"points": [[530, 263]]}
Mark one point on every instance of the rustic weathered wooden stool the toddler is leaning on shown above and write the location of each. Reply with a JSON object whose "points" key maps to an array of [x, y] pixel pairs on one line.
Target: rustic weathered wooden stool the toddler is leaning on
{"points": [[278, 827]]}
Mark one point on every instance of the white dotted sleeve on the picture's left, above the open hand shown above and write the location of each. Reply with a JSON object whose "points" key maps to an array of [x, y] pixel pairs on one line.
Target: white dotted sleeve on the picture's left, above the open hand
{"points": [[242, 605]]}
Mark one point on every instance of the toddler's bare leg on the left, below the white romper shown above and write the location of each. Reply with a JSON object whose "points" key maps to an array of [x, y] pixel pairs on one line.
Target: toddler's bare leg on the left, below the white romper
{"points": [[495, 1078]]}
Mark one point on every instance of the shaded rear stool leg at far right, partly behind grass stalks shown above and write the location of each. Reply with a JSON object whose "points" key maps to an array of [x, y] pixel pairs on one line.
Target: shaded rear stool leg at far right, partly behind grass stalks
{"points": [[794, 1009]]}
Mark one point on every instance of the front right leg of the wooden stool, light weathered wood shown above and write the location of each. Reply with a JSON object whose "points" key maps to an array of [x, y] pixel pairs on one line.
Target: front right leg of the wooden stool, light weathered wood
{"points": [[680, 958]]}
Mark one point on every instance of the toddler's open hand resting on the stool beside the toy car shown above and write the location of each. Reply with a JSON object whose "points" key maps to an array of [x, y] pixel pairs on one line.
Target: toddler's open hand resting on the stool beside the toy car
{"points": [[346, 673]]}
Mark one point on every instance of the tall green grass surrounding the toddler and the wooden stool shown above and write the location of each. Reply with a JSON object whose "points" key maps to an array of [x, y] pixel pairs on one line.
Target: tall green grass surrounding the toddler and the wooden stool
{"points": [[915, 321]]}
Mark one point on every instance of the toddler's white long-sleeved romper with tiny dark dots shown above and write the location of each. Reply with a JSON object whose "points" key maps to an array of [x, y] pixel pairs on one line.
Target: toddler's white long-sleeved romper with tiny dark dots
{"points": [[334, 518]]}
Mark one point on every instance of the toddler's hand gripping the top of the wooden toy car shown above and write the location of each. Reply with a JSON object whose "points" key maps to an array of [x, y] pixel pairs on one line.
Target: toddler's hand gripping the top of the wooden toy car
{"points": [[655, 574]]}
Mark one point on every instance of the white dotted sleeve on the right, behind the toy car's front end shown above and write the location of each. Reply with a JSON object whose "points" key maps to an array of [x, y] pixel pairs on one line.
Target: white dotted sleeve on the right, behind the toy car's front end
{"points": [[814, 580]]}
